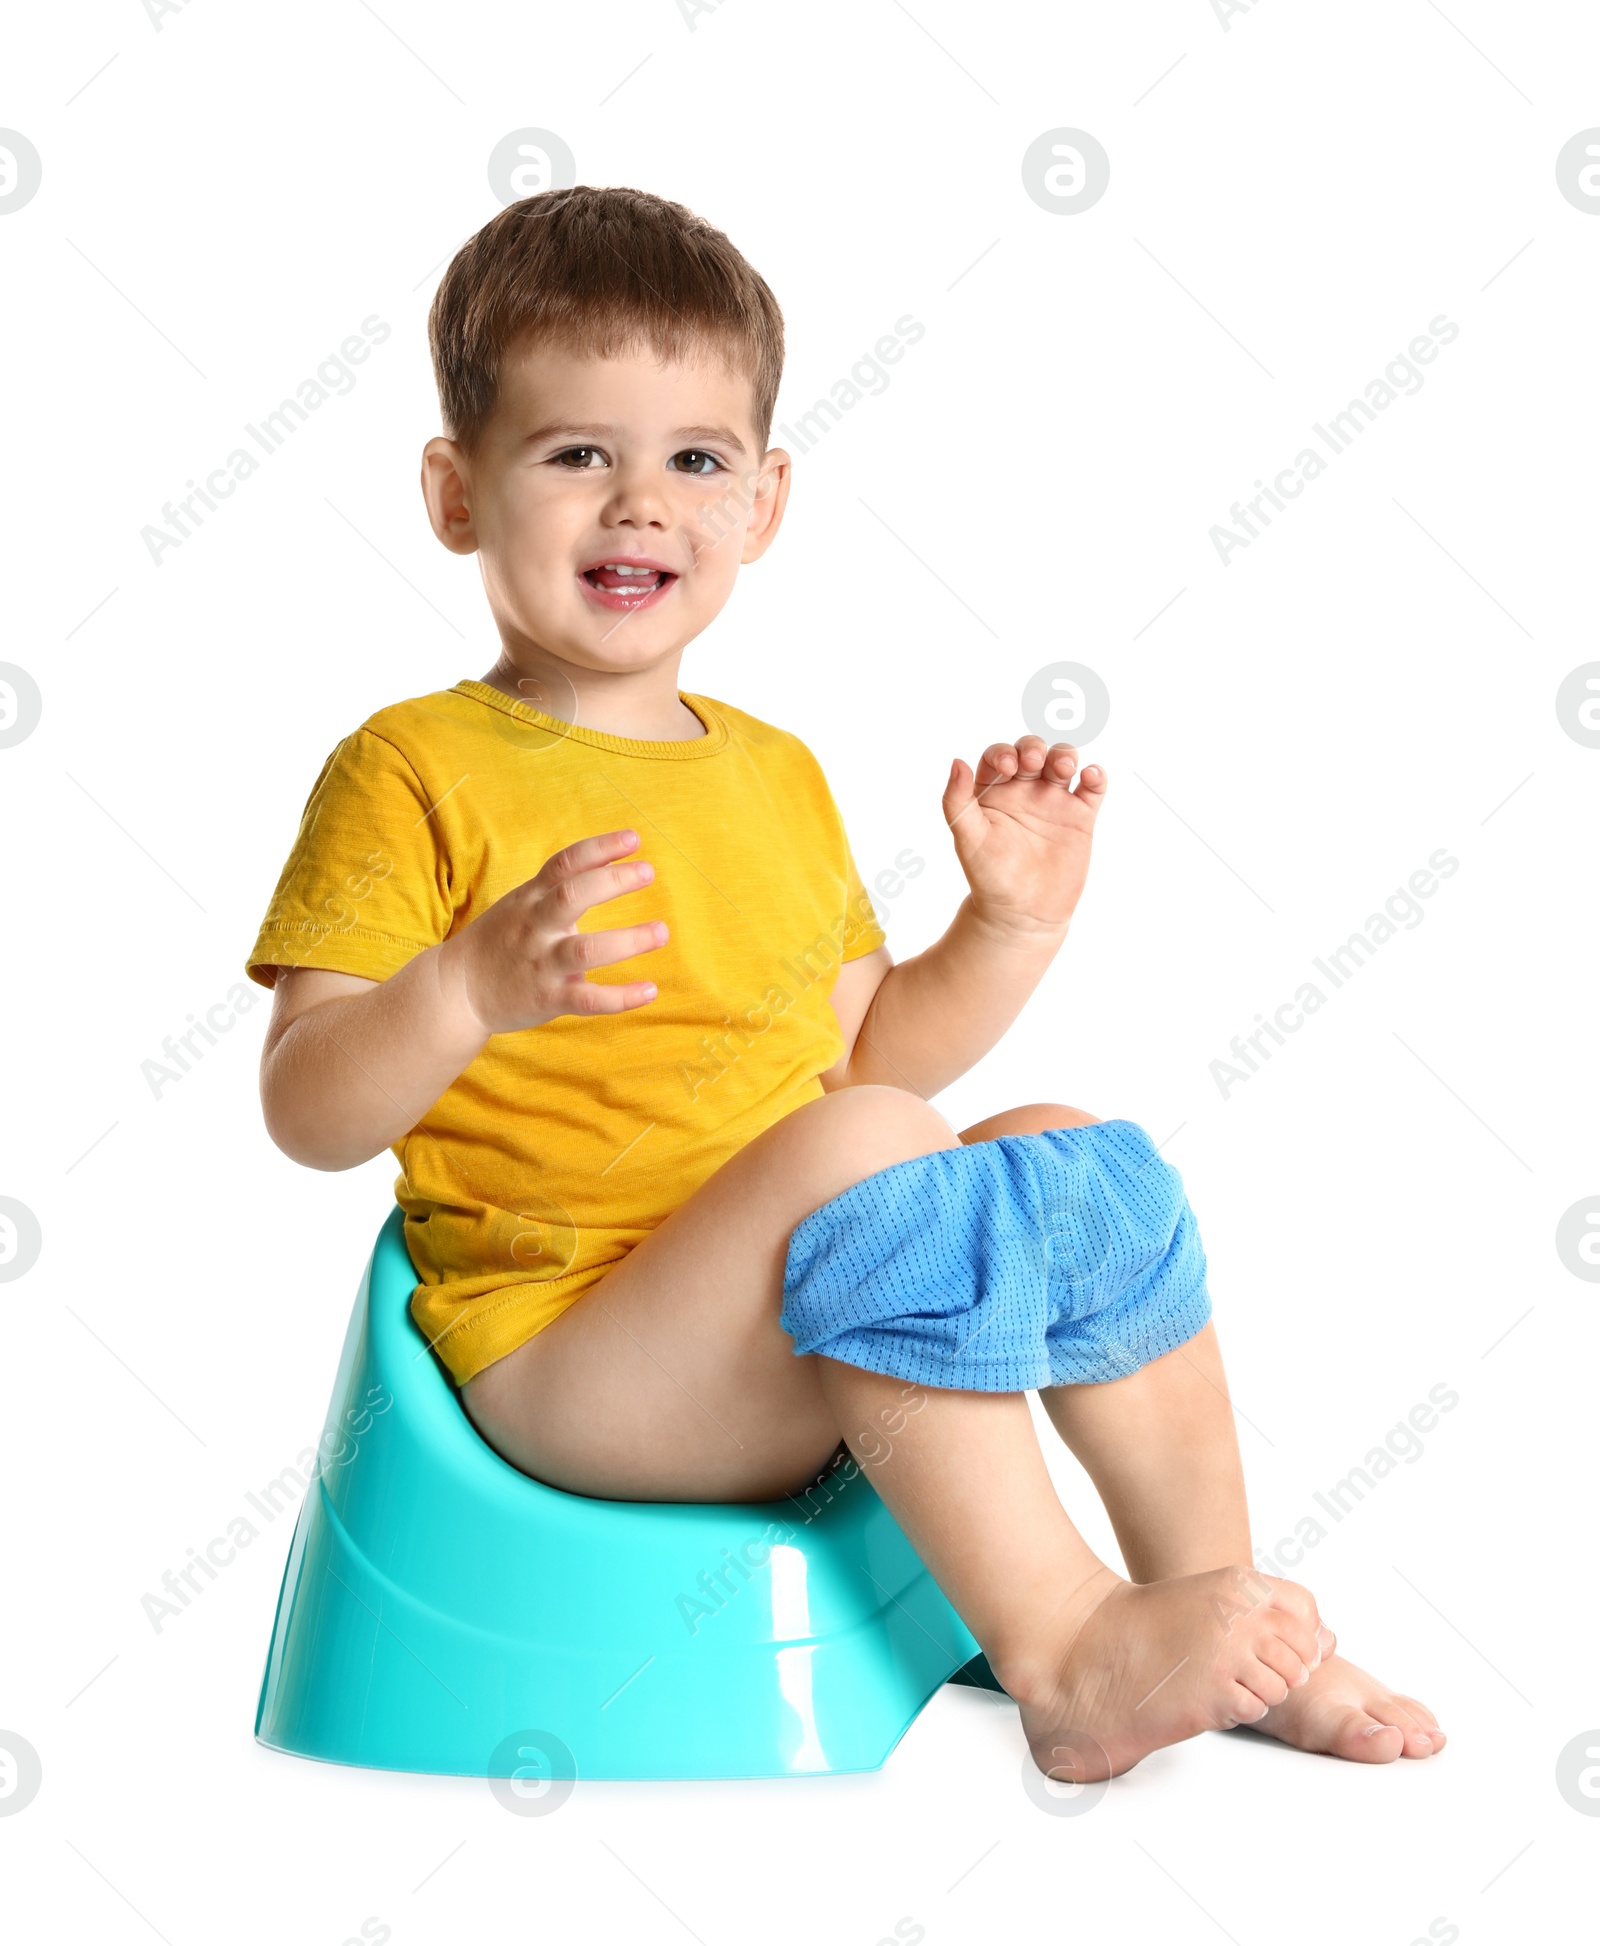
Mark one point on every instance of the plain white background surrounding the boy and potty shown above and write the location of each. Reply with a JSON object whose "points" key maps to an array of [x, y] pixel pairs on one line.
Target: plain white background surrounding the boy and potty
{"points": [[1290, 740]]}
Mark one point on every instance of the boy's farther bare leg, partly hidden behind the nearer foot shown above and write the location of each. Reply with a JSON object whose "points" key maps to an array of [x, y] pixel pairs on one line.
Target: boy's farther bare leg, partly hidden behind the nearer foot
{"points": [[1163, 1455]]}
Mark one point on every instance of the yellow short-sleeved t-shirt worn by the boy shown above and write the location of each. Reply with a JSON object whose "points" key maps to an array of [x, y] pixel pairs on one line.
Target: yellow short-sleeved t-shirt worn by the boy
{"points": [[564, 1145]]}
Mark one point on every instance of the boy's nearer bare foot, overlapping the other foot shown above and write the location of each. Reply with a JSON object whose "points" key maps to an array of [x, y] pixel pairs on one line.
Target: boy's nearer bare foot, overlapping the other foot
{"points": [[1149, 1665]]}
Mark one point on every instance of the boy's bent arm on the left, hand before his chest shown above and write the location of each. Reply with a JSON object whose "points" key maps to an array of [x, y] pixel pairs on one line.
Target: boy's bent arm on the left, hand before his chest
{"points": [[351, 1065]]}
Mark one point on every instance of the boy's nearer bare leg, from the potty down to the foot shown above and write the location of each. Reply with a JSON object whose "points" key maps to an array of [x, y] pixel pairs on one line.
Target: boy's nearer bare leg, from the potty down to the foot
{"points": [[674, 1381]]}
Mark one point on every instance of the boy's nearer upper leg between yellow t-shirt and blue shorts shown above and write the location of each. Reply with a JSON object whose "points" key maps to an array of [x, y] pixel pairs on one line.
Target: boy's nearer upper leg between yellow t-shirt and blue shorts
{"points": [[673, 1379]]}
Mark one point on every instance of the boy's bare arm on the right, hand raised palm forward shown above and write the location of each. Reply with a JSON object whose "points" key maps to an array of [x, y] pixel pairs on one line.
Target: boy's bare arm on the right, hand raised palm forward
{"points": [[1023, 838]]}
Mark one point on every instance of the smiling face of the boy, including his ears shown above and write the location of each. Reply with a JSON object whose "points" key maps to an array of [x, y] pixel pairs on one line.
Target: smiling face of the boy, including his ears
{"points": [[593, 464]]}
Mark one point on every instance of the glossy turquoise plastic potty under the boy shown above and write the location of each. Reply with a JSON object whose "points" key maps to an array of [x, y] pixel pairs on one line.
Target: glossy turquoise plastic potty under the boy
{"points": [[443, 1612]]}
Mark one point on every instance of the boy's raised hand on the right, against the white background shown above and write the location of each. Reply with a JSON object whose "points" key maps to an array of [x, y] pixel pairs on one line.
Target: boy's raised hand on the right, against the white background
{"points": [[1023, 834]]}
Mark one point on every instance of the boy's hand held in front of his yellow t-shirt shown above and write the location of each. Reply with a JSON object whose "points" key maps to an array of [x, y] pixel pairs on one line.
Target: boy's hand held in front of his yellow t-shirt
{"points": [[525, 960]]}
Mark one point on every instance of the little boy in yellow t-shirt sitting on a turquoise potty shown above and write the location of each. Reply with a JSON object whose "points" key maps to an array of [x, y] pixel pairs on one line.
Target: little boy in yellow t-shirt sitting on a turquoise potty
{"points": [[593, 956]]}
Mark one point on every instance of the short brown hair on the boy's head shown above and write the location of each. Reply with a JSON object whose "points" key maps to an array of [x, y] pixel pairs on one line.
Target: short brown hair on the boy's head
{"points": [[599, 271]]}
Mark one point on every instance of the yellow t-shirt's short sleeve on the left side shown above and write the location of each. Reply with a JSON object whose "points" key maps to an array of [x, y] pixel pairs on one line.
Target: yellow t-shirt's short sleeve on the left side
{"points": [[367, 884]]}
